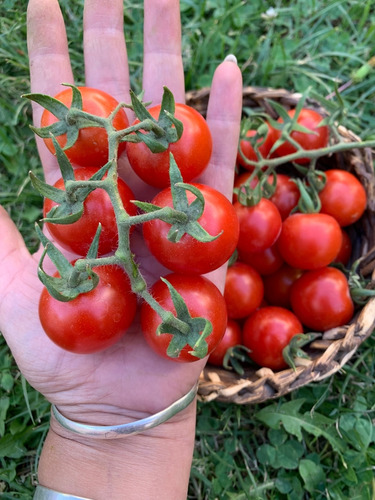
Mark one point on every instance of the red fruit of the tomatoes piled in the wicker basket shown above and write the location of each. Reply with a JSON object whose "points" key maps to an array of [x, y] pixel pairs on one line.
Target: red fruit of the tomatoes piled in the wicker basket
{"points": [[285, 280]]}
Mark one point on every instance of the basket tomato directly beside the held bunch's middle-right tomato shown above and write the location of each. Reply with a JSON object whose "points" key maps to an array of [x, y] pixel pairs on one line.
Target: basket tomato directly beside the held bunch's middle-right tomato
{"points": [[260, 226]]}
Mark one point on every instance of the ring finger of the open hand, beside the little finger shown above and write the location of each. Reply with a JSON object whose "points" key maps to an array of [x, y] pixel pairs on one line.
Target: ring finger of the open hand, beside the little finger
{"points": [[162, 58]]}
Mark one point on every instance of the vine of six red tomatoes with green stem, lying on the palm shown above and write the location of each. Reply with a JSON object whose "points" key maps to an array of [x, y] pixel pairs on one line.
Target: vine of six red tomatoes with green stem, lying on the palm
{"points": [[90, 302]]}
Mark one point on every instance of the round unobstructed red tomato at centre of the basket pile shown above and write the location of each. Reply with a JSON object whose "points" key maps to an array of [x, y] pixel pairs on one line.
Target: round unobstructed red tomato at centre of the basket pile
{"points": [[309, 241]]}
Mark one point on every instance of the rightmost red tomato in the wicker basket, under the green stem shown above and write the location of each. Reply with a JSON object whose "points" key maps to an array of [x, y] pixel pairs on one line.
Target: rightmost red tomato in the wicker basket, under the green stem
{"points": [[343, 197]]}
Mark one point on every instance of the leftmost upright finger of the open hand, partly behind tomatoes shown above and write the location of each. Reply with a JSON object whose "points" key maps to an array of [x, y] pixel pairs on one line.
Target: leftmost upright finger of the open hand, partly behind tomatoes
{"points": [[49, 62]]}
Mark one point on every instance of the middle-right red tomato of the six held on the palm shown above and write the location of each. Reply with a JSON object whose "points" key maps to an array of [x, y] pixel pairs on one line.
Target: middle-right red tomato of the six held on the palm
{"points": [[188, 254]]}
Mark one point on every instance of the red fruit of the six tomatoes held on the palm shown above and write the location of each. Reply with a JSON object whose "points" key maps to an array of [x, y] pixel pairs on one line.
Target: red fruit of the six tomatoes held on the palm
{"points": [[96, 319]]}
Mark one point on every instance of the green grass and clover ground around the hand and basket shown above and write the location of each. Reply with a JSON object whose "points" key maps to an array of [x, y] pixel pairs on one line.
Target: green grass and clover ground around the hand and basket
{"points": [[318, 442]]}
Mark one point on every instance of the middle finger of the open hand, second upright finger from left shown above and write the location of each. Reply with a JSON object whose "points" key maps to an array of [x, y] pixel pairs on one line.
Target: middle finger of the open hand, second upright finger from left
{"points": [[106, 62]]}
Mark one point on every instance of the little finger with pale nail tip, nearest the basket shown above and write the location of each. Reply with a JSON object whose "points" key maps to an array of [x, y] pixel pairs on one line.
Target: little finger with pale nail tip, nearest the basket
{"points": [[224, 119]]}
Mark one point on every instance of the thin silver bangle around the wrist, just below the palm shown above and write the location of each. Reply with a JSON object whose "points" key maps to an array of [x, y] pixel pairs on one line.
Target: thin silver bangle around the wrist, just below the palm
{"points": [[131, 428]]}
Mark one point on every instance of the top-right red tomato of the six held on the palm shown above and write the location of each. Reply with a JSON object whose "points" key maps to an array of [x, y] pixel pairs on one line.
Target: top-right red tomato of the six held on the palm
{"points": [[192, 151]]}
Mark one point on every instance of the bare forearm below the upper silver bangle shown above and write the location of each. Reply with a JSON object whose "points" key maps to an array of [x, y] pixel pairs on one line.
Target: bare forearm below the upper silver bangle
{"points": [[154, 465]]}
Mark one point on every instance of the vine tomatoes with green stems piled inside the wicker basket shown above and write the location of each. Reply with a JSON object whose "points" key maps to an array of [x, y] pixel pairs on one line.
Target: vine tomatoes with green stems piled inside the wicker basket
{"points": [[292, 277]]}
